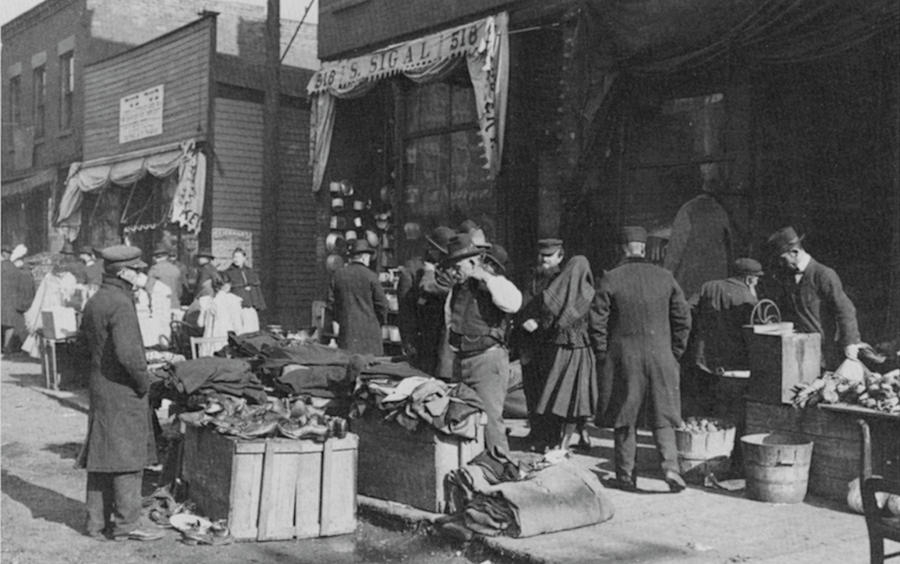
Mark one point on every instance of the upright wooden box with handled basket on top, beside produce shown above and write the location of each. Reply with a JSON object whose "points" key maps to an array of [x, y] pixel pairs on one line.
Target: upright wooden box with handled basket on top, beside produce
{"points": [[779, 362]]}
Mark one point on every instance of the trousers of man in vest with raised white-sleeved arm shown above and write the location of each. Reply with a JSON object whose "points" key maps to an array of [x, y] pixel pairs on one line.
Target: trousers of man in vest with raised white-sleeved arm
{"points": [[488, 374]]}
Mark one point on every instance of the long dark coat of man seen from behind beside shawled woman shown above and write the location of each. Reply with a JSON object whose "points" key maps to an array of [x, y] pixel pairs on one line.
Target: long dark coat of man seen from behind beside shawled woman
{"points": [[643, 328]]}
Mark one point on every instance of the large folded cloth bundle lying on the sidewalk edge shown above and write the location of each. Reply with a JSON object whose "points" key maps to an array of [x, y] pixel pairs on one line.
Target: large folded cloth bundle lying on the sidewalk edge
{"points": [[493, 495]]}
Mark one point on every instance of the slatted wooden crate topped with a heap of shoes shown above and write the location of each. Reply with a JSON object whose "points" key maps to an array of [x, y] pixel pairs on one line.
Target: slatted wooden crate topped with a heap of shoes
{"points": [[273, 489]]}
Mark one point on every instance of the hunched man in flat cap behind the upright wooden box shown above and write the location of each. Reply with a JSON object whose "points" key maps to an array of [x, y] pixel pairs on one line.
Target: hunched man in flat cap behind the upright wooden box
{"points": [[719, 343]]}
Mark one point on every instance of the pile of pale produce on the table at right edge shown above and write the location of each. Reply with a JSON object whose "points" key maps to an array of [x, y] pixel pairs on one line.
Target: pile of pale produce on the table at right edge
{"points": [[880, 392]]}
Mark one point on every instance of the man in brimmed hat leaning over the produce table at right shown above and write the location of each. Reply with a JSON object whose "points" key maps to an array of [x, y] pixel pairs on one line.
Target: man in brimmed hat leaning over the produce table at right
{"points": [[811, 296]]}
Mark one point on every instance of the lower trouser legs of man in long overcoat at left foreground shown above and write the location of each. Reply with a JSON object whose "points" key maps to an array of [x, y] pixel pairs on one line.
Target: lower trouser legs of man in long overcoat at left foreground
{"points": [[113, 502]]}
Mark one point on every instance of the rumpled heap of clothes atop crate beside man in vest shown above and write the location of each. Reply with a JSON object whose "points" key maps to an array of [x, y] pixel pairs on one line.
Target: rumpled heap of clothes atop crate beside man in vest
{"points": [[451, 409]]}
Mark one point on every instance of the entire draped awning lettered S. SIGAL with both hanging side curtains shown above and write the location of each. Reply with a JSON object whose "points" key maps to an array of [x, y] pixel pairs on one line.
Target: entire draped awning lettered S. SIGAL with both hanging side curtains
{"points": [[485, 46]]}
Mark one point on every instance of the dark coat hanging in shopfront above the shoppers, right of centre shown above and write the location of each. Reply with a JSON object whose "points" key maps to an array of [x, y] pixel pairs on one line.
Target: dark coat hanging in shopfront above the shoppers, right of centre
{"points": [[700, 248]]}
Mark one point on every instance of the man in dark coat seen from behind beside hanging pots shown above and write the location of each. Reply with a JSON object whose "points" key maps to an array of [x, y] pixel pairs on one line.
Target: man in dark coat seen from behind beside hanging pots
{"points": [[358, 303]]}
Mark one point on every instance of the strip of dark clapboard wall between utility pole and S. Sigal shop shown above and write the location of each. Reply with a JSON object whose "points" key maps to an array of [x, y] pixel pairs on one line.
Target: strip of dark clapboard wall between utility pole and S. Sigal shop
{"points": [[301, 277]]}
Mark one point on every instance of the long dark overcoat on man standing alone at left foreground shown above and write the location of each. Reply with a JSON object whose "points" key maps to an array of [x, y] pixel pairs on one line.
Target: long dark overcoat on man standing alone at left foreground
{"points": [[120, 436]]}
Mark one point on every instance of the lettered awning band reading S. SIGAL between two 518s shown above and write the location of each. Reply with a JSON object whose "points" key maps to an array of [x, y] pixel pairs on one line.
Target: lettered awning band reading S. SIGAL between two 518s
{"points": [[411, 56]]}
